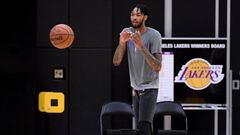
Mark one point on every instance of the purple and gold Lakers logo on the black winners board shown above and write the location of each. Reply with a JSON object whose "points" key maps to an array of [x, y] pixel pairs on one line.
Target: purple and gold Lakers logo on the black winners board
{"points": [[198, 74]]}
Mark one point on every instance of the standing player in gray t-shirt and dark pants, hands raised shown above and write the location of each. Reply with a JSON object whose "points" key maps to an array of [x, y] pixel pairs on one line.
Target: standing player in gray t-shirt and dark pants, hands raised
{"points": [[144, 59]]}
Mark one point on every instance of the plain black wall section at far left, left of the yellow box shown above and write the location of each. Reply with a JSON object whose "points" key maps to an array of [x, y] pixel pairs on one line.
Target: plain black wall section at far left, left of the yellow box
{"points": [[18, 28]]}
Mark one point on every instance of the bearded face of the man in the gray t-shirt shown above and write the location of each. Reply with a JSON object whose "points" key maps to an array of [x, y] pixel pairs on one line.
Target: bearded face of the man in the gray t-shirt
{"points": [[137, 18]]}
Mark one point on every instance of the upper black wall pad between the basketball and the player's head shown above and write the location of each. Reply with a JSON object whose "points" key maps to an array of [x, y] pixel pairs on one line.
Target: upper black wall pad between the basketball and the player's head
{"points": [[91, 21]]}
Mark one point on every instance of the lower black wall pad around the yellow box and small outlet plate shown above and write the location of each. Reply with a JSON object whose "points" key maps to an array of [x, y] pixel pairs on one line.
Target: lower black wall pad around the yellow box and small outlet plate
{"points": [[47, 60]]}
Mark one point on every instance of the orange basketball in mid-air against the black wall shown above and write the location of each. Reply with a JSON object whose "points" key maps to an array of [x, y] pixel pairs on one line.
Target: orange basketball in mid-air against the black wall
{"points": [[61, 36]]}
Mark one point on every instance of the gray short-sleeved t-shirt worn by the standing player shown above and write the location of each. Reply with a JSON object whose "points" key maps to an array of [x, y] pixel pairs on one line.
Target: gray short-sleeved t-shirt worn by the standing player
{"points": [[141, 74]]}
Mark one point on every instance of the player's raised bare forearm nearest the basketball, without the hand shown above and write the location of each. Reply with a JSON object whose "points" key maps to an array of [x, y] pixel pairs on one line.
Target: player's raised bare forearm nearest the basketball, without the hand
{"points": [[119, 53]]}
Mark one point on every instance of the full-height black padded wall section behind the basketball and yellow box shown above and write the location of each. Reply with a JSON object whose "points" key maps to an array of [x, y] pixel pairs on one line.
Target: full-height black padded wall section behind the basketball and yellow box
{"points": [[87, 64]]}
